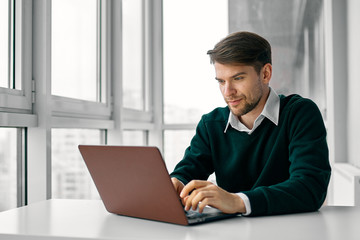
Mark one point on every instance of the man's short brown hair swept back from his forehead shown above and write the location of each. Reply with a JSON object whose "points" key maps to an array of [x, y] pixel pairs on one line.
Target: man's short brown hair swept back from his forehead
{"points": [[242, 48]]}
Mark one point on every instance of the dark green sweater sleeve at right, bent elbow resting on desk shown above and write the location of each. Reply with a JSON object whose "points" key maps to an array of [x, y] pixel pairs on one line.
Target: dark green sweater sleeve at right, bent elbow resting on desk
{"points": [[305, 189]]}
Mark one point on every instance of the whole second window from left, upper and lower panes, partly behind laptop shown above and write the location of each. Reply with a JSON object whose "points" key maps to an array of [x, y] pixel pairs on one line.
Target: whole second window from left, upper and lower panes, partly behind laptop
{"points": [[73, 108]]}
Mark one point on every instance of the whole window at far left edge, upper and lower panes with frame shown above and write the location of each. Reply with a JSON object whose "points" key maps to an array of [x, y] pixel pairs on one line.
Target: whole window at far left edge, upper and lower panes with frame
{"points": [[15, 99]]}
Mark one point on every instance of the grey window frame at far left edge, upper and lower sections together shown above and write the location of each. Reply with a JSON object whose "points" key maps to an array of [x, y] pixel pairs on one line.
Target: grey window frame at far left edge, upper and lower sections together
{"points": [[16, 104]]}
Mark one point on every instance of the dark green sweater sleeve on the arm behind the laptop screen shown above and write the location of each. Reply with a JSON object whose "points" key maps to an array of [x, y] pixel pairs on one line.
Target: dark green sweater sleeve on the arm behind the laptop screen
{"points": [[197, 163]]}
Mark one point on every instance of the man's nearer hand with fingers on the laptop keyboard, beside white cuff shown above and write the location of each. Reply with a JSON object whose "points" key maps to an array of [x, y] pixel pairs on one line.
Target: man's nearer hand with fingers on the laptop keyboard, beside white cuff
{"points": [[204, 193]]}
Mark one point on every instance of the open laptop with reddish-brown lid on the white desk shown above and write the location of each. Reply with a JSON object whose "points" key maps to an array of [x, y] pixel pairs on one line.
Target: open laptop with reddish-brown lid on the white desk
{"points": [[133, 181]]}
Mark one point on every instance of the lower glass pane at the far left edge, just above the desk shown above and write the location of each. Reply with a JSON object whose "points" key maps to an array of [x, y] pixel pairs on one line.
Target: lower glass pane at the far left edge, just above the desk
{"points": [[8, 169]]}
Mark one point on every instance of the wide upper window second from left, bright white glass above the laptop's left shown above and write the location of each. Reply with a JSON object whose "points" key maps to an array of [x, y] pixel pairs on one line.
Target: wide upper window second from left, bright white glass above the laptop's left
{"points": [[79, 54]]}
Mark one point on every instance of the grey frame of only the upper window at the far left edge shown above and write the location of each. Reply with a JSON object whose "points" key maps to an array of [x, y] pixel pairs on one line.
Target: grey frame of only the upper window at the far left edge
{"points": [[15, 100]]}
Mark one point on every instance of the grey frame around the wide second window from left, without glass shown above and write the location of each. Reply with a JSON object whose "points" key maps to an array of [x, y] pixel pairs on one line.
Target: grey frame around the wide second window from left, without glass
{"points": [[63, 112]]}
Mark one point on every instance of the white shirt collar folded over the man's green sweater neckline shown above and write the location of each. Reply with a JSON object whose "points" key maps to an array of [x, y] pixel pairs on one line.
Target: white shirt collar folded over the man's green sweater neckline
{"points": [[271, 111]]}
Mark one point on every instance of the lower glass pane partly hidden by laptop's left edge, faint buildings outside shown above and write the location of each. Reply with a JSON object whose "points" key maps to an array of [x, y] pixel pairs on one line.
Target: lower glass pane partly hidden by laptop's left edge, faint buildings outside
{"points": [[70, 177]]}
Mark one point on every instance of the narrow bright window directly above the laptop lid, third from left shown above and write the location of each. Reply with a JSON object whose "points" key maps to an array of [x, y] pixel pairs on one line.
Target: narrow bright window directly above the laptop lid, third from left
{"points": [[138, 81]]}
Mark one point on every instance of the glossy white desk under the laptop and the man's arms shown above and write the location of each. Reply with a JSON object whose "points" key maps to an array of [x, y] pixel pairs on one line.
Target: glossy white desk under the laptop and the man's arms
{"points": [[86, 219]]}
